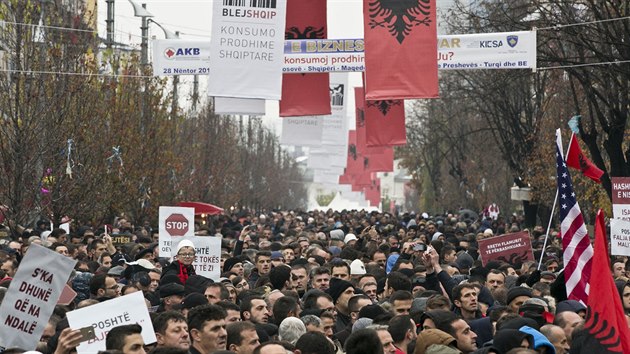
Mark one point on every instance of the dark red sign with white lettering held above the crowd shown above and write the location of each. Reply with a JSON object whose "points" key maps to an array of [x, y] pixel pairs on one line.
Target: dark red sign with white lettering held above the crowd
{"points": [[512, 248]]}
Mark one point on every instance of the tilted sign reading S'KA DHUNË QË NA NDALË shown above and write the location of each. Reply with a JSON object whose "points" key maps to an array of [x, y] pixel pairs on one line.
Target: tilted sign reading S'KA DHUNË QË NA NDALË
{"points": [[32, 296]]}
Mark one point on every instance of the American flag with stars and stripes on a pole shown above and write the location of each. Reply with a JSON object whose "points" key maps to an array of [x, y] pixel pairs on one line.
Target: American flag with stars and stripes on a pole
{"points": [[578, 252]]}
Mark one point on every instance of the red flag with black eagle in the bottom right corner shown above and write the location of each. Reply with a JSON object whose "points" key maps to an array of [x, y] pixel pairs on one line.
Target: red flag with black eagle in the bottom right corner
{"points": [[605, 329]]}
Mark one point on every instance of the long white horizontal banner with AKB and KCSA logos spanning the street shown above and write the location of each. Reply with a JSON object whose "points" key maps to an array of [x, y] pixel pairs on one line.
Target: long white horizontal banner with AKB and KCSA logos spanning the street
{"points": [[506, 50]]}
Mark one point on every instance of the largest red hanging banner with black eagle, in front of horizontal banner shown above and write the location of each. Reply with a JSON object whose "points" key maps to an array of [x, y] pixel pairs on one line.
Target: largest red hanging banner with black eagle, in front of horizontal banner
{"points": [[400, 49]]}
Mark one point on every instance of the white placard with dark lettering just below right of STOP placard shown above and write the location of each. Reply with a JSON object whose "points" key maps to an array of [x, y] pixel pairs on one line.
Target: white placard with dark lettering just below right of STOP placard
{"points": [[207, 255]]}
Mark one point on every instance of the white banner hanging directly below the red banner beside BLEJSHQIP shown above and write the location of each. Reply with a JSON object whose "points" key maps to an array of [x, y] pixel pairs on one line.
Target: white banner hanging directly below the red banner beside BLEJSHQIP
{"points": [[302, 131]]}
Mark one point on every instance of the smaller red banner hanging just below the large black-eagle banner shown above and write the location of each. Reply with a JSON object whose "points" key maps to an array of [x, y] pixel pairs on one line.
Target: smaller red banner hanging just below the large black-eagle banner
{"points": [[385, 123]]}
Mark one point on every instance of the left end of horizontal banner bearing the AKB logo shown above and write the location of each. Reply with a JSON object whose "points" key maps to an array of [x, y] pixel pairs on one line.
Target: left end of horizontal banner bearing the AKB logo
{"points": [[181, 57]]}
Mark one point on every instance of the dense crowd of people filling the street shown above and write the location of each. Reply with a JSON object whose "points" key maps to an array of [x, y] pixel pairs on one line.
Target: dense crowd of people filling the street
{"points": [[319, 282]]}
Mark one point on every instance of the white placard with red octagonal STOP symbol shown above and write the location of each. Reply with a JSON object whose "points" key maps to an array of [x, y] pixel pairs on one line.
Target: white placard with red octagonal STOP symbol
{"points": [[171, 224]]}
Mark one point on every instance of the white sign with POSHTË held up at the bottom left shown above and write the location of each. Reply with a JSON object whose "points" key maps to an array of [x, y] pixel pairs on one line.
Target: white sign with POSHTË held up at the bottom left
{"points": [[128, 309]]}
